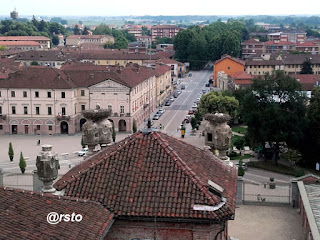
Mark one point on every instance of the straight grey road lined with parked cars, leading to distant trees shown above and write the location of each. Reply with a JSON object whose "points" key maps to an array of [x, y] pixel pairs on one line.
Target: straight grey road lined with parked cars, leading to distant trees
{"points": [[175, 113]]}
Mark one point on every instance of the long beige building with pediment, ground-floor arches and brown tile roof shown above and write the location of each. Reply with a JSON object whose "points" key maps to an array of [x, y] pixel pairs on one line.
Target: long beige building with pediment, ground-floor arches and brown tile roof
{"points": [[41, 100]]}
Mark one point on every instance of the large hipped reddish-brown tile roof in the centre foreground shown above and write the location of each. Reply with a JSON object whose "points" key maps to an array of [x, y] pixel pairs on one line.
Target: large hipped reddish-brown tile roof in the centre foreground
{"points": [[148, 175]]}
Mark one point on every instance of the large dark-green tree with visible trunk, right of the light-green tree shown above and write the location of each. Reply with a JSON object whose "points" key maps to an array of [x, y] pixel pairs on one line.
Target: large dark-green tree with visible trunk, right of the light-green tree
{"points": [[274, 111]]}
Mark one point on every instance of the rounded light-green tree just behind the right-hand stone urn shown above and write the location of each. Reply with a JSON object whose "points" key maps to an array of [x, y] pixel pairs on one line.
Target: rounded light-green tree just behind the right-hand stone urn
{"points": [[216, 102]]}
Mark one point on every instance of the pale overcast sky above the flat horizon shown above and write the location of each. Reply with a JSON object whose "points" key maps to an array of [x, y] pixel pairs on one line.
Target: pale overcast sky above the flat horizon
{"points": [[161, 7]]}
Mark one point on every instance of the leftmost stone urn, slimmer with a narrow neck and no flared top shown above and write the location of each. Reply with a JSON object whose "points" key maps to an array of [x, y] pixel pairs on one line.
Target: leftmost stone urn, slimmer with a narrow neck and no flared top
{"points": [[47, 164]]}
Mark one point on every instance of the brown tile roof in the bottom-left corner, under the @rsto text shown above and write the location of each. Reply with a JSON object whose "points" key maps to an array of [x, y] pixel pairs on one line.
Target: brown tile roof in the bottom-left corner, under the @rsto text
{"points": [[23, 215]]}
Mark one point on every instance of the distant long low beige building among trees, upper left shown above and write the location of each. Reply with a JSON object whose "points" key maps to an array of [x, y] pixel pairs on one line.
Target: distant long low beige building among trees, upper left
{"points": [[76, 40]]}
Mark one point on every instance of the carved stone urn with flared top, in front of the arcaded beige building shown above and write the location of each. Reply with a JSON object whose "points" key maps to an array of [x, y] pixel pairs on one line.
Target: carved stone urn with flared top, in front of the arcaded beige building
{"points": [[97, 130]]}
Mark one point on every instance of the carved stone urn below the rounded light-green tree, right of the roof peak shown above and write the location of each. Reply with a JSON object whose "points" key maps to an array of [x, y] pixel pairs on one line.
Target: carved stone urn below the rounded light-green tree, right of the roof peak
{"points": [[218, 134]]}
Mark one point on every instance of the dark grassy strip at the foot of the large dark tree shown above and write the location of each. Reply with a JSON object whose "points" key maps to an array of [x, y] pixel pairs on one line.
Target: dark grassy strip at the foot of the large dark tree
{"points": [[280, 168]]}
